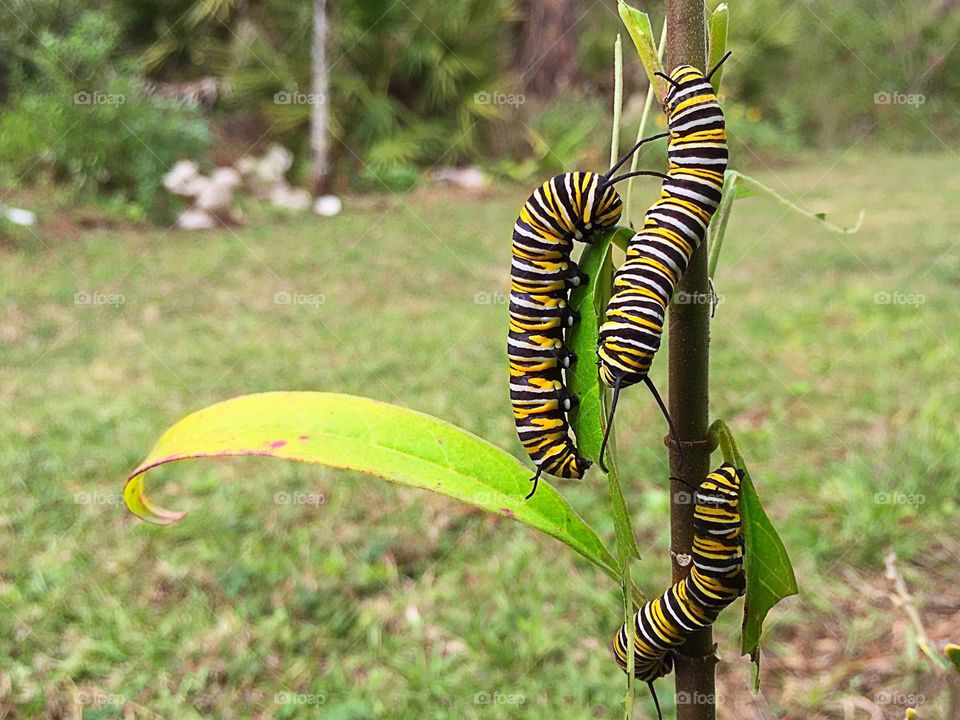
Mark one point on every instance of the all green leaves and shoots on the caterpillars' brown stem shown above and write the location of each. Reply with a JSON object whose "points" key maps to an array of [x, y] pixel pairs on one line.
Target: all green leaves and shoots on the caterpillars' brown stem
{"points": [[413, 449]]}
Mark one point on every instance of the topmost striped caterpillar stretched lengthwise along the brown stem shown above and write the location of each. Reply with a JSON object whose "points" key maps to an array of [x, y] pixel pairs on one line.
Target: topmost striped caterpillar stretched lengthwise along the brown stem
{"points": [[673, 228]]}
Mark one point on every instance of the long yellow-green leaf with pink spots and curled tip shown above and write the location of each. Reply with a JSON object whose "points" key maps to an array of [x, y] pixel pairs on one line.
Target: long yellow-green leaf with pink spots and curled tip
{"points": [[383, 440]]}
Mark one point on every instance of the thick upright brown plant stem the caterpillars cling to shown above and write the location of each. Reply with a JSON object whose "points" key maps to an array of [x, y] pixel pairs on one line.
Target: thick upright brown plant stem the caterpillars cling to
{"points": [[689, 395]]}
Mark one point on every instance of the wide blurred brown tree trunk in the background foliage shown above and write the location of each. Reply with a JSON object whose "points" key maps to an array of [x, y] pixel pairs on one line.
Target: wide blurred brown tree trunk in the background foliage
{"points": [[548, 47]]}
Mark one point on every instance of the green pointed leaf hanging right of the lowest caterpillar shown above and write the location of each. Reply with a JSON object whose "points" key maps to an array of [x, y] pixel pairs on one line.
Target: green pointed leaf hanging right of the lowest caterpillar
{"points": [[770, 576]]}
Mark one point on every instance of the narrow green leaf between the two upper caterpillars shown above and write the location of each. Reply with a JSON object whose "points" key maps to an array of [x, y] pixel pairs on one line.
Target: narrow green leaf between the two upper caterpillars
{"points": [[590, 417]]}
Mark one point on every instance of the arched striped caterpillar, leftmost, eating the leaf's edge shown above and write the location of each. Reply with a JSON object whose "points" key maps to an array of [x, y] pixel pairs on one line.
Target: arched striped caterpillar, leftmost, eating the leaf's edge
{"points": [[565, 208]]}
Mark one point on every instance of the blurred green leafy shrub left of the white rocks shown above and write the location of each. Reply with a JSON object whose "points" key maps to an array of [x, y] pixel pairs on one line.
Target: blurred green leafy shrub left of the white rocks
{"points": [[77, 114]]}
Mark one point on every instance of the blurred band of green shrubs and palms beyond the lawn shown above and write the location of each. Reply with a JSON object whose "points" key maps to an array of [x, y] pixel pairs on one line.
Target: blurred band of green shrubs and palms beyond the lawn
{"points": [[505, 84]]}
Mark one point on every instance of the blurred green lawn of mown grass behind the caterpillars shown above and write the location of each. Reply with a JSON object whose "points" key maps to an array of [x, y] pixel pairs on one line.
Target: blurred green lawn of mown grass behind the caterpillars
{"points": [[384, 602]]}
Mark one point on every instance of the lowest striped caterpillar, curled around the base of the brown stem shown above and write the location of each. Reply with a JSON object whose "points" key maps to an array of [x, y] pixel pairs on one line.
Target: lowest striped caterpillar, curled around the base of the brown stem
{"points": [[715, 581]]}
